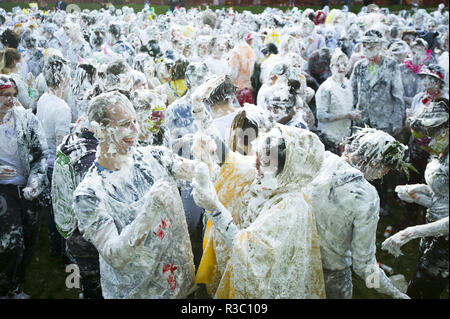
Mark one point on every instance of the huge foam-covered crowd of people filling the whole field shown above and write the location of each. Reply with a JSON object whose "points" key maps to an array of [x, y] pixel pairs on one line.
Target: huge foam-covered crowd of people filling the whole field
{"points": [[248, 155]]}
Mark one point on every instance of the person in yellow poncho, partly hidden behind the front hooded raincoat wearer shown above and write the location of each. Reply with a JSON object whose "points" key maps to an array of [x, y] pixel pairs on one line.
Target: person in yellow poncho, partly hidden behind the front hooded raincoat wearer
{"points": [[233, 181]]}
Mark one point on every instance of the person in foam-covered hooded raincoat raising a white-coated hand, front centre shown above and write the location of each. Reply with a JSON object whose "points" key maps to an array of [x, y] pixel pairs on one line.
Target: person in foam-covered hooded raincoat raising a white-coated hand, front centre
{"points": [[276, 254]]}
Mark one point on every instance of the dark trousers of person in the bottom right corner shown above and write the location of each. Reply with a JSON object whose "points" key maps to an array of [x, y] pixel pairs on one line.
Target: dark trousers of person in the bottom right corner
{"points": [[431, 275]]}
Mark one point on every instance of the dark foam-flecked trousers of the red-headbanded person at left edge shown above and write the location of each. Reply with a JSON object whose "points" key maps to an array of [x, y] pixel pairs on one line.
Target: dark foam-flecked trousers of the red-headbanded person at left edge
{"points": [[19, 231]]}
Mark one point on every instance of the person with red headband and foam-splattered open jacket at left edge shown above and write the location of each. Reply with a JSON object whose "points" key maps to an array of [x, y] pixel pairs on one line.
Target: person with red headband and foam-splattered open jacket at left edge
{"points": [[23, 188]]}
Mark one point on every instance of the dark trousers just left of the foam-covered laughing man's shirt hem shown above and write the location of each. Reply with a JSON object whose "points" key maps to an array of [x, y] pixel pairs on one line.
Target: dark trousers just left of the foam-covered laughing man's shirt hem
{"points": [[85, 255]]}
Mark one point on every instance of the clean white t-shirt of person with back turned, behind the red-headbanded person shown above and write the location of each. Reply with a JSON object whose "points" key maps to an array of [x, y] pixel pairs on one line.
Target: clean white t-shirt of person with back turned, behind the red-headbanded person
{"points": [[55, 116]]}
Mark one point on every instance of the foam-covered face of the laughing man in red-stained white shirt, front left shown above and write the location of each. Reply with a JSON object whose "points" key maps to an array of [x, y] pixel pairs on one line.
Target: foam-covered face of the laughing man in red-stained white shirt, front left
{"points": [[122, 132]]}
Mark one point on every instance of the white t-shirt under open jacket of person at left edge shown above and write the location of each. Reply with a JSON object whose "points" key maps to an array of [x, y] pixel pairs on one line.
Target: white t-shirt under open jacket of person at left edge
{"points": [[9, 154]]}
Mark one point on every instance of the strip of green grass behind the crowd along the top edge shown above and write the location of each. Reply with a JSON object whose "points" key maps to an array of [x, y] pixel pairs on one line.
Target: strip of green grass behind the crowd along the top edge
{"points": [[161, 9]]}
